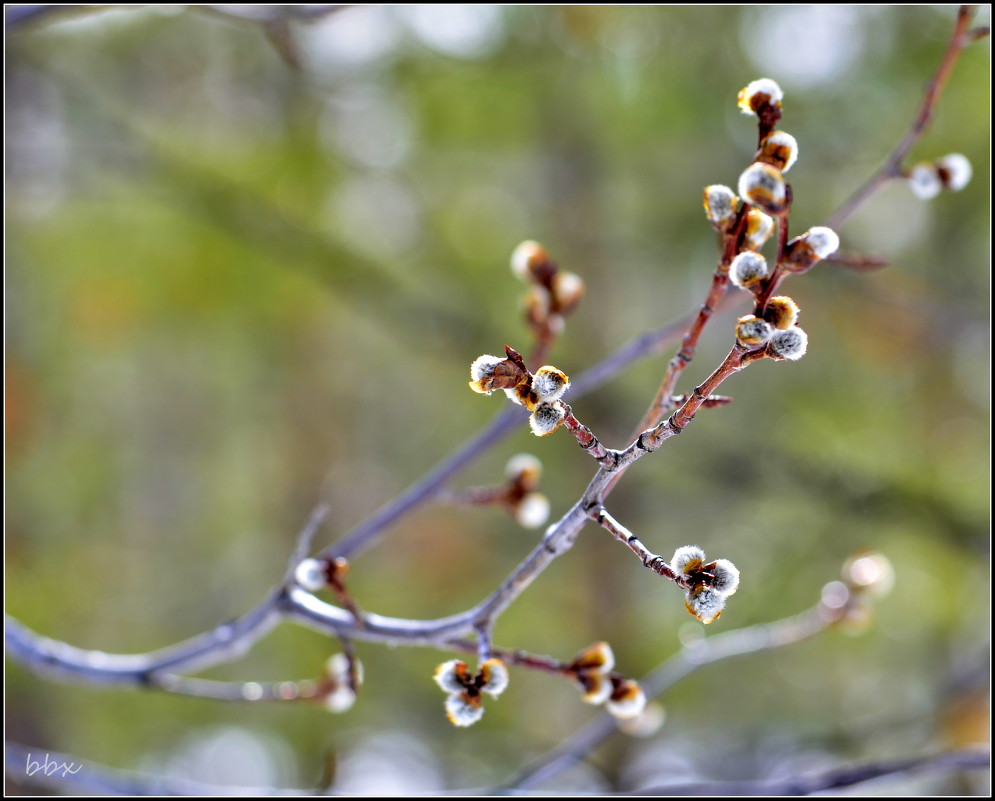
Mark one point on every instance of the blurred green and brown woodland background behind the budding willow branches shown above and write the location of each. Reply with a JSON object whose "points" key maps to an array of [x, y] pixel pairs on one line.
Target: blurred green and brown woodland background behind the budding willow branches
{"points": [[251, 252]]}
